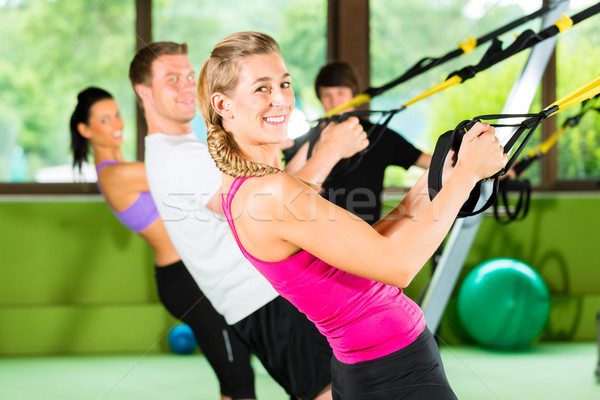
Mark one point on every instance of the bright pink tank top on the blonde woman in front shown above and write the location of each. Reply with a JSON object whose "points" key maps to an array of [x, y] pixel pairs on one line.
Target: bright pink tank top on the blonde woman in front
{"points": [[362, 319]]}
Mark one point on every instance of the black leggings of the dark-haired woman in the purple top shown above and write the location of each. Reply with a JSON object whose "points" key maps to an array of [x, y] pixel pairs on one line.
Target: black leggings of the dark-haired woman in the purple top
{"points": [[229, 358]]}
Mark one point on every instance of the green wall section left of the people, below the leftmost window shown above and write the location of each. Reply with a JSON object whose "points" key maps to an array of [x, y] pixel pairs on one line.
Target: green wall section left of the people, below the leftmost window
{"points": [[75, 281]]}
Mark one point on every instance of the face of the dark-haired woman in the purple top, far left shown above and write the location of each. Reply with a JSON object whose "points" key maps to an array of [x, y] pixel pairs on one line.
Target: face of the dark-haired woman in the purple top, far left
{"points": [[105, 125]]}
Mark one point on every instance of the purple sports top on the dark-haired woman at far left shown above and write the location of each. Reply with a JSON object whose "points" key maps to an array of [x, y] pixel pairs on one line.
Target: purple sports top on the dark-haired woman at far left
{"points": [[140, 214]]}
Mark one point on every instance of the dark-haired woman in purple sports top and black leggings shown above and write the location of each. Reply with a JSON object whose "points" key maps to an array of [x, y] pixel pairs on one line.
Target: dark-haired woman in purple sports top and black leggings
{"points": [[96, 122]]}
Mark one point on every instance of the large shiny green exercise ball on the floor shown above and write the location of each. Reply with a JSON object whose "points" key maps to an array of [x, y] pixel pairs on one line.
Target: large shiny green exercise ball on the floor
{"points": [[503, 304]]}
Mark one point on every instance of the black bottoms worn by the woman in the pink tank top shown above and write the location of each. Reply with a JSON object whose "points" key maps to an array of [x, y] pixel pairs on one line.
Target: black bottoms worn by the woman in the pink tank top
{"points": [[414, 372]]}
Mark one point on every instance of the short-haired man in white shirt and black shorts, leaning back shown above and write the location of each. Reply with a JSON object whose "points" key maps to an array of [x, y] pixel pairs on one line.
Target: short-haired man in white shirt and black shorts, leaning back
{"points": [[186, 187]]}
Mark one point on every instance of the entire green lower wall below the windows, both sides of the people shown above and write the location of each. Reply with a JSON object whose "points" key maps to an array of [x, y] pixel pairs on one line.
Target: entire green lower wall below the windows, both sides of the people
{"points": [[74, 281]]}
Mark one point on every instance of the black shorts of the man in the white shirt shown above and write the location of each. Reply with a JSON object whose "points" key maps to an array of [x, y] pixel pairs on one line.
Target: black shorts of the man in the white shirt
{"points": [[289, 346]]}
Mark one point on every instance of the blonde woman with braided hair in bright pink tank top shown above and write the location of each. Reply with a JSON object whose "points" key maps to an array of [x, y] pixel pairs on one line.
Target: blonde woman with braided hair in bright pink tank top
{"points": [[343, 273]]}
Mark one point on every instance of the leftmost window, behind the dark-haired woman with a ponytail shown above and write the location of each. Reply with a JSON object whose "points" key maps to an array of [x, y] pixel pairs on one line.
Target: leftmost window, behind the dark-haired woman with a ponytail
{"points": [[52, 50]]}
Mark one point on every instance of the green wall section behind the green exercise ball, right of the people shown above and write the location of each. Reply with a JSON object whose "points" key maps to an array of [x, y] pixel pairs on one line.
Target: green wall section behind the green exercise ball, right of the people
{"points": [[559, 238]]}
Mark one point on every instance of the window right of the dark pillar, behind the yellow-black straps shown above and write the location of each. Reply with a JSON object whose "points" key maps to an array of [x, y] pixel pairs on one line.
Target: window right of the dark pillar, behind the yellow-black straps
{"points": [[401, 36]]}
